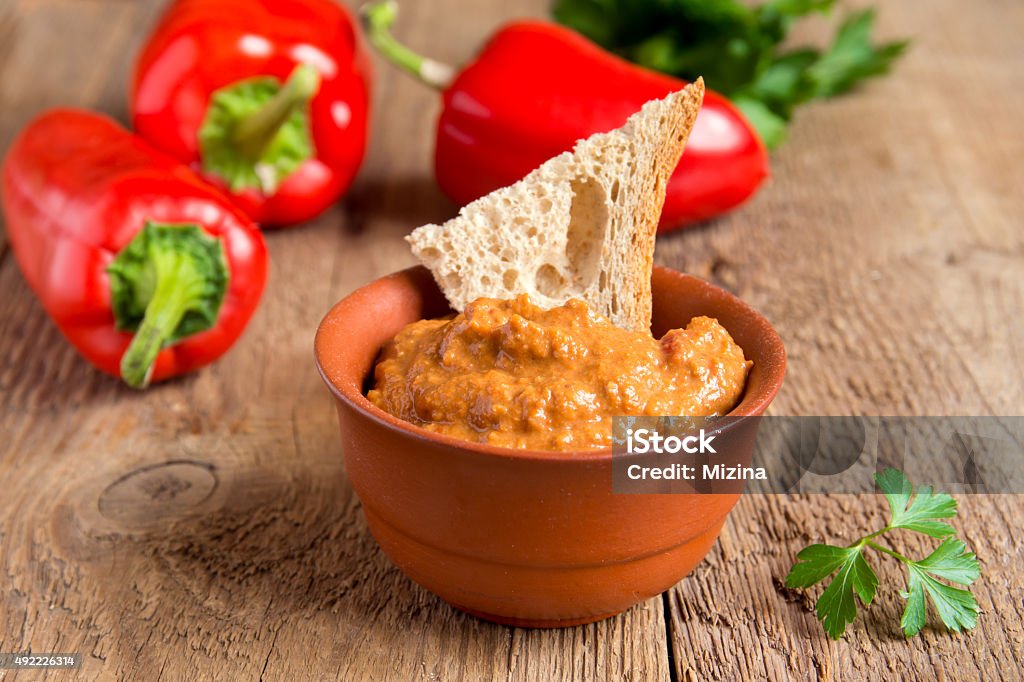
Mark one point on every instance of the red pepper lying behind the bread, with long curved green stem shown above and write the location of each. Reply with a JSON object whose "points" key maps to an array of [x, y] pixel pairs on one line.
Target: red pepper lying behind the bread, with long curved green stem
{"points": [[537, 88]]}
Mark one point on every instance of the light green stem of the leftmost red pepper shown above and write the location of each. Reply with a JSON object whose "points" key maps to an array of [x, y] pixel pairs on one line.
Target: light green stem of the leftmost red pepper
{"points": [[180, 284]]}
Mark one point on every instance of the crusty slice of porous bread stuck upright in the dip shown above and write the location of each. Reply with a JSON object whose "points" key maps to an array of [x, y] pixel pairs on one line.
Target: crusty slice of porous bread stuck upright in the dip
{"points": [[582, 226]]}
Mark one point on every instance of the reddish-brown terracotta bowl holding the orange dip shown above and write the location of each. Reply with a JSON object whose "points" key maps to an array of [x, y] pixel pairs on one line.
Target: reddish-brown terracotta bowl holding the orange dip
{"points": [[526, 538]]}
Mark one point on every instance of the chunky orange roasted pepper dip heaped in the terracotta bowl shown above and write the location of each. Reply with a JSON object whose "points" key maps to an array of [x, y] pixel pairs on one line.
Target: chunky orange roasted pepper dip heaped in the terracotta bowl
{"points": [[509, 373]]}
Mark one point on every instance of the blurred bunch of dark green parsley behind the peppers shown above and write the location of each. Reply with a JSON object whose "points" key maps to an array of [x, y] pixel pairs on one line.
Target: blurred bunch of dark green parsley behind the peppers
{"points": [[739, 49]]}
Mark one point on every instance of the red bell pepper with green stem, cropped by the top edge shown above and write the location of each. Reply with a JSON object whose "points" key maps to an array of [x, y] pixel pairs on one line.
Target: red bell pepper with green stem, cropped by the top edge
{"points": [[267, 99]]}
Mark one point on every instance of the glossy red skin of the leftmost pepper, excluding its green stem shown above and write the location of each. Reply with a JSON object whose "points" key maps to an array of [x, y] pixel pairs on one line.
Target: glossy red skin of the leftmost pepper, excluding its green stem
{"points": [[77, 189]]}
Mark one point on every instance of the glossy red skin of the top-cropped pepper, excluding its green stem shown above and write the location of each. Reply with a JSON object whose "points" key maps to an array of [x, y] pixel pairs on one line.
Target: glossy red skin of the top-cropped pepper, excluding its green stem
{"points": [[201, 47]]}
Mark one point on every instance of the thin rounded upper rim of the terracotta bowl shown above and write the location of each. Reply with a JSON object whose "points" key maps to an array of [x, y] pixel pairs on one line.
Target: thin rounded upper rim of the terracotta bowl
{"points": [[750, 405]]}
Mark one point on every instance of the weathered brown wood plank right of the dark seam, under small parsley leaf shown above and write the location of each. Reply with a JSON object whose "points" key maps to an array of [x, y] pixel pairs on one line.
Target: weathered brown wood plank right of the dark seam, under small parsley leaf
{"points": [[891, 264]]}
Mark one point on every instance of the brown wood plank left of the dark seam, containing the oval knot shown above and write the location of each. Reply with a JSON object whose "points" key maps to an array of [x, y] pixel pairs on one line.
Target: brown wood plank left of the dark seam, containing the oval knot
{"points": [[207, 526]]}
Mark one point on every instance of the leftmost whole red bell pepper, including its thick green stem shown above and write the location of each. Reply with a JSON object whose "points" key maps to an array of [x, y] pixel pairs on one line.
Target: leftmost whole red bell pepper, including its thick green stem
{"points": [[148, 271]]}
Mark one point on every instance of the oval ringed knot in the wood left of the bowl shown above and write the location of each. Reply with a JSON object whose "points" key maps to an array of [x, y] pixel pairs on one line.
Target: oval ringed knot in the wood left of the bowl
{"points": [[158, 493]]}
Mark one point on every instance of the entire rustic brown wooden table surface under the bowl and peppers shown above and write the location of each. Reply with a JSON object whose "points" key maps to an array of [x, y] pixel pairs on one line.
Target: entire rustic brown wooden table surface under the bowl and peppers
{"points": [[206, 530]]}
